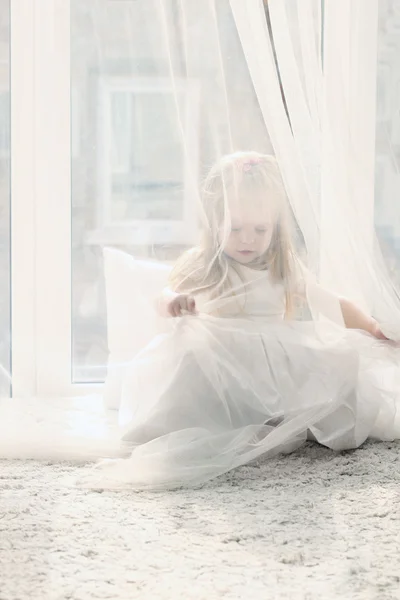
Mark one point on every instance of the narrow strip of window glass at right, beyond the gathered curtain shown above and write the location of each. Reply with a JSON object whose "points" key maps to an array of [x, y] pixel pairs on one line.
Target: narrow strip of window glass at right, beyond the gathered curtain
{"points": [[387, 174]]}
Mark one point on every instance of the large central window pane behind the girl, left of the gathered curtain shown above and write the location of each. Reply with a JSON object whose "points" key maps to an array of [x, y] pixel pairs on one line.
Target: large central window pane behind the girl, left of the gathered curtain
{"points": [[152, 106]]}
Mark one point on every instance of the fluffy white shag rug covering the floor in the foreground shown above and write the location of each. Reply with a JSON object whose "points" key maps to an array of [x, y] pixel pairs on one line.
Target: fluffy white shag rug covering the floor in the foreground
{"points": [[311, 525]]}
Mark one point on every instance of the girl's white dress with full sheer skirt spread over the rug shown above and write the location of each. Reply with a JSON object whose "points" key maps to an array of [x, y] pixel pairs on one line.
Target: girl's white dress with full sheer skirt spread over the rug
{"points": [[214, 393]]}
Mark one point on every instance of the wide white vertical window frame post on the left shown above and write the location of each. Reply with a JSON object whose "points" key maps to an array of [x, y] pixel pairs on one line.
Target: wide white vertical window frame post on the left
{"points": [[40, 173]]}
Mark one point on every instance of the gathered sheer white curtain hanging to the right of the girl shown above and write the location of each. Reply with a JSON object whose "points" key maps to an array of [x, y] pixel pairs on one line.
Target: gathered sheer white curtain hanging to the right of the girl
{"points": [[324, 133]]}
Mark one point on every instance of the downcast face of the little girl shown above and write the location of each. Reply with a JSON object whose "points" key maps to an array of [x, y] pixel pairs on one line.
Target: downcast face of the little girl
{"points": [[248, 235]]}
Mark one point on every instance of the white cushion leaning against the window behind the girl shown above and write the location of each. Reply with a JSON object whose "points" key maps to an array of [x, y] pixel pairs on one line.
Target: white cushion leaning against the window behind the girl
{"points": [[132, 287]]}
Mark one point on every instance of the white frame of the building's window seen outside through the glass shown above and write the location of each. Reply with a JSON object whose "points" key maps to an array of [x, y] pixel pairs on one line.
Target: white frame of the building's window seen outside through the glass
{"points": [[153, 231]]}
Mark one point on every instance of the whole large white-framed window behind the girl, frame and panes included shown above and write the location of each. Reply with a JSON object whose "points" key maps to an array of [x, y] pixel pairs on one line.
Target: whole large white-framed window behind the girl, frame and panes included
{"points": [[116, 112]]}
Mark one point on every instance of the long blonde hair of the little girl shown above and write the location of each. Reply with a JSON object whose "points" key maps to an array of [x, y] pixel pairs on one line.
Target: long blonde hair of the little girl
{"points": [[240, 176]]}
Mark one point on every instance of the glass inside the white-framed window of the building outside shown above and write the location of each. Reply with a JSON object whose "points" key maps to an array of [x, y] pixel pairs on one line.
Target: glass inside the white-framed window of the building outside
{"points": [[138, 191]]}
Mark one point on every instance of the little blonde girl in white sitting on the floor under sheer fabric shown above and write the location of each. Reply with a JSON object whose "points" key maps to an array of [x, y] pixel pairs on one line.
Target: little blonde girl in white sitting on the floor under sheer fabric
{"points": [[237, 374]]}
